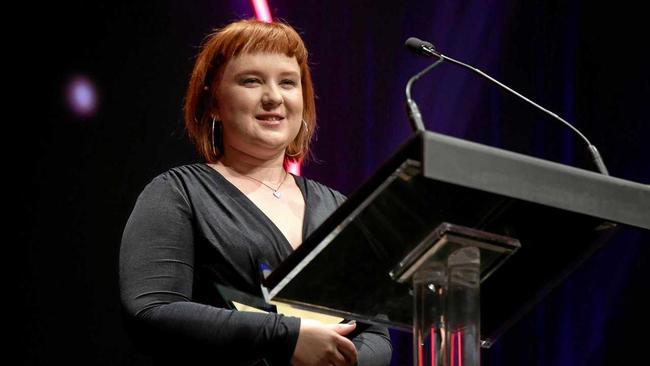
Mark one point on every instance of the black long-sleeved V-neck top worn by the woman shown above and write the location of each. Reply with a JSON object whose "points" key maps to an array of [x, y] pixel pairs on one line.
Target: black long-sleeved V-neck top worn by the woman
{"points": [[192, 229]]}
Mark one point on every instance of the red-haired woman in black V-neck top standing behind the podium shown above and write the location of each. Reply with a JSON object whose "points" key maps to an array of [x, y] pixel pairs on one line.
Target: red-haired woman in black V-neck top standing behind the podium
{"points": [[249, 110]]}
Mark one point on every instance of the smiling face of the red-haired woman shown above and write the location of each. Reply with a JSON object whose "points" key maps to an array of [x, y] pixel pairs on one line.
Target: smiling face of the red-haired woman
{"points": [[259, 101]]}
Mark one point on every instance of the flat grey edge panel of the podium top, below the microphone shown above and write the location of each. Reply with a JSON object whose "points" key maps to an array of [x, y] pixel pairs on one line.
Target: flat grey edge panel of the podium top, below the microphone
{"points": [[531, 179]]}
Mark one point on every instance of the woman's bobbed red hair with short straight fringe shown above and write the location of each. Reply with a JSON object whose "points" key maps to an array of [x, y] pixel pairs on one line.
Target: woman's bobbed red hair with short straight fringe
{"points": [[242, 37]]}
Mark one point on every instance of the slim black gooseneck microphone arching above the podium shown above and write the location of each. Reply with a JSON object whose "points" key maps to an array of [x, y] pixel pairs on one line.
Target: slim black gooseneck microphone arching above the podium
{"points": [[426, 49]]}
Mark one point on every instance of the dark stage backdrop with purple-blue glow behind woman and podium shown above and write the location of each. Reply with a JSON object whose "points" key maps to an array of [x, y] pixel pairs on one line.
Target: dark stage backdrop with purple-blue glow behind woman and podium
{"points": [[584, 60]]}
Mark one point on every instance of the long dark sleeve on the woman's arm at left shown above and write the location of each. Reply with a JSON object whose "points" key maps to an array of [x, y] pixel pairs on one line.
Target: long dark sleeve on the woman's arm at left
{"points": [[156, 279]]}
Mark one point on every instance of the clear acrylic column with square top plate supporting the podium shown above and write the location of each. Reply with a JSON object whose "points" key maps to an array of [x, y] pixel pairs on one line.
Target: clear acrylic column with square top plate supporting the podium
{"points": [[446, 271]]}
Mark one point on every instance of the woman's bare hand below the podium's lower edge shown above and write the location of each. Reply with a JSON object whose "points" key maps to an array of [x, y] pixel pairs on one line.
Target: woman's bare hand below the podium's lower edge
{"points": [[324, 345]]}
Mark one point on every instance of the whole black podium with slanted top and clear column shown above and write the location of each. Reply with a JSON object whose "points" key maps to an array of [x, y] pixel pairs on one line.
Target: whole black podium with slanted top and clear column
{"points": [[522, 224]]}
